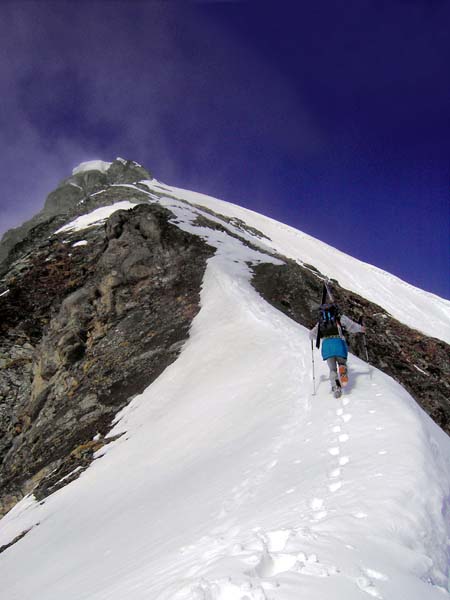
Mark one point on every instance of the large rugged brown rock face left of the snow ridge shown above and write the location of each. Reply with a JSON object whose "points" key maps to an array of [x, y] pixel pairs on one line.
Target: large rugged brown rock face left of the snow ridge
{"points": [[84, 329]]}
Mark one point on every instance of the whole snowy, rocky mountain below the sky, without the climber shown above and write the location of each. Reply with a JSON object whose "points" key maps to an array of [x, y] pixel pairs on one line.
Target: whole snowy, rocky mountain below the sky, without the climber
{"points": [[159, 432]]}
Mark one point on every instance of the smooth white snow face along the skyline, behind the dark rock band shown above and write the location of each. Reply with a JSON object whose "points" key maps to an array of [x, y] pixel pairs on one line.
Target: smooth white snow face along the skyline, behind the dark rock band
{"points": [[410, 305]]}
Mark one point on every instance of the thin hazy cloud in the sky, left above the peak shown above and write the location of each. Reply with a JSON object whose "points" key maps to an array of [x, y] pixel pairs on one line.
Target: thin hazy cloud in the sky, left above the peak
{"points": [[151, 81]]}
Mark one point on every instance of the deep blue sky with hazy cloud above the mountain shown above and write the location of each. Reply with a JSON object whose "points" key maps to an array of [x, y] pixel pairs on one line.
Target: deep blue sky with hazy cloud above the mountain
{"points": [[333, 117]]}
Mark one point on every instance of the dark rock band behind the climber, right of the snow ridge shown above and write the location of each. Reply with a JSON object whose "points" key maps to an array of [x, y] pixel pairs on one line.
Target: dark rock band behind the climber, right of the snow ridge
{"points": [[419, 363]]}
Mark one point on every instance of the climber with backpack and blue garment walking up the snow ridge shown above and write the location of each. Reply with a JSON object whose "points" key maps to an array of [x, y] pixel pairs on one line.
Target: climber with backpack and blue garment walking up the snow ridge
{"points": [[334, 347]]}
